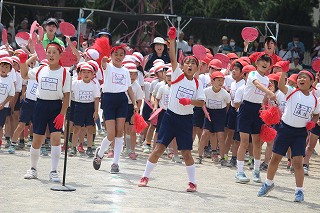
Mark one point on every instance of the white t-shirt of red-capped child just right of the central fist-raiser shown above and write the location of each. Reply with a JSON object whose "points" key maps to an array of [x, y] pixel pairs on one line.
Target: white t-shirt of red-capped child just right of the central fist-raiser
{"points": [[216, 100]]}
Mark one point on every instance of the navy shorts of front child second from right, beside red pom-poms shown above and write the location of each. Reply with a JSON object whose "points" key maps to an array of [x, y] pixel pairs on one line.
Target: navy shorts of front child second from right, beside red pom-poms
{"points": [[249, 120]]}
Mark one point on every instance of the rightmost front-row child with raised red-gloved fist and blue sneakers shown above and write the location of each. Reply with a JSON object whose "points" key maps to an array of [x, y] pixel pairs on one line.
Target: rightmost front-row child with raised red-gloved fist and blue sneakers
{"points": [[300, 114]]}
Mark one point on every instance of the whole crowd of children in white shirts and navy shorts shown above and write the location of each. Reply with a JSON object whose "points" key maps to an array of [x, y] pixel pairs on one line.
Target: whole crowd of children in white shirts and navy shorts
{"points": [[220, 105]]}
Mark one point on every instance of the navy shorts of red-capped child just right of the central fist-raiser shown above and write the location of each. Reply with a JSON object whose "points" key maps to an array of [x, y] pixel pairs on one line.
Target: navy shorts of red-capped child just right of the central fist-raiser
{"points": [[218, 118]]}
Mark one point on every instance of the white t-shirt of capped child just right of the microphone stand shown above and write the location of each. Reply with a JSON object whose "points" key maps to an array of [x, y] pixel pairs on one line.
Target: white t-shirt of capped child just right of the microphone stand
{"points": [[85, 92]]}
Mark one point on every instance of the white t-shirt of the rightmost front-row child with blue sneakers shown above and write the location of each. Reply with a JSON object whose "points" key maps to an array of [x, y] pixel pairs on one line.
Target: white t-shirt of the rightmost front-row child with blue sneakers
{"points": [[299, 109]]}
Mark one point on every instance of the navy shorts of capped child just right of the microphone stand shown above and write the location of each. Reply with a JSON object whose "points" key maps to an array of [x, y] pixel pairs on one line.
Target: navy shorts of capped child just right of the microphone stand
{"points": [[83, 114]]}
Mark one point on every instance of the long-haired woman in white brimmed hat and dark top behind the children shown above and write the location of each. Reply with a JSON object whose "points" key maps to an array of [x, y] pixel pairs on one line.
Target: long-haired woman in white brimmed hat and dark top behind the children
{"points": [[159, 51]]}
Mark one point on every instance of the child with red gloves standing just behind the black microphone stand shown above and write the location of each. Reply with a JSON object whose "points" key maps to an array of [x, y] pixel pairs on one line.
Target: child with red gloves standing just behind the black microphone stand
{"points": [[51, 106]]}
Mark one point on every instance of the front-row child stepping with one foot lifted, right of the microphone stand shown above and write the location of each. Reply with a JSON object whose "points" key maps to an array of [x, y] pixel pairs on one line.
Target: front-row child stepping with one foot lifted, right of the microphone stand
{"points": [[115, 105]]}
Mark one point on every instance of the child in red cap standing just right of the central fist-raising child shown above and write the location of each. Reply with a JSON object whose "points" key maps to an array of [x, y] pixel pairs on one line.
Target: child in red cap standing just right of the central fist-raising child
{"points": [[217, 103]]}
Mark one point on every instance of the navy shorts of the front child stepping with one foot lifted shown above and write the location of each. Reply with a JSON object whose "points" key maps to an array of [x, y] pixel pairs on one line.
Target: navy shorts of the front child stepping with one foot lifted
{"points": [[114, 105]]}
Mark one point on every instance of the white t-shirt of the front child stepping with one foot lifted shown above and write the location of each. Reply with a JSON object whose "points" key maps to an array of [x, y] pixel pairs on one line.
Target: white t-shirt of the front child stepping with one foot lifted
{"points": [[116, 80]]}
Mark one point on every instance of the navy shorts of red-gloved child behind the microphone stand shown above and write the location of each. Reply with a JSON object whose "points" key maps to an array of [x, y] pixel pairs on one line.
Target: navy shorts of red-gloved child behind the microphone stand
{"points": [[45, 113]]}
